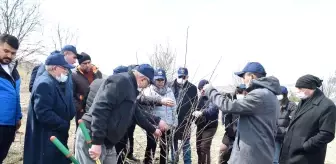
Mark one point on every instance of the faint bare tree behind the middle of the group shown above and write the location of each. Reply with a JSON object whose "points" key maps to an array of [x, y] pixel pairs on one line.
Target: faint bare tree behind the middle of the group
{"points": [[164, 58]]}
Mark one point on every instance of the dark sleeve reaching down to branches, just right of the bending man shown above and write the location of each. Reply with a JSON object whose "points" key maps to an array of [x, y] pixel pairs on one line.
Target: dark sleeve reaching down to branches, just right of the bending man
{"points": [[143, 122]]}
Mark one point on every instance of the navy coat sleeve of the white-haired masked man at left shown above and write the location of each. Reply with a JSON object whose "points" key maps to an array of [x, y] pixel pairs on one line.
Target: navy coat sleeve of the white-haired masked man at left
{"points": [[43, 101]]}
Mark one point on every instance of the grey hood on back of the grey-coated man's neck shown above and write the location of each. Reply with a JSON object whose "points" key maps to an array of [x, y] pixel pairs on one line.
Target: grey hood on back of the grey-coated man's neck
{"points": [[271, 83]]}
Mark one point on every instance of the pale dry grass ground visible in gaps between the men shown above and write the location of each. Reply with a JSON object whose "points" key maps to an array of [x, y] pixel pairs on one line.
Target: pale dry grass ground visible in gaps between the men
{"points": [[16, 151]]}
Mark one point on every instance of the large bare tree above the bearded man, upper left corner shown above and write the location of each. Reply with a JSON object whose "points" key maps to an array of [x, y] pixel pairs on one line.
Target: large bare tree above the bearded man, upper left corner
{"points": [[21, 18]]}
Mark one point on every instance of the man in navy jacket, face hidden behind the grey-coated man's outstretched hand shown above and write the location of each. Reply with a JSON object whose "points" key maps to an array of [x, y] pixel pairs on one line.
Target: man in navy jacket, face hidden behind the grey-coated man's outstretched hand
{"points": [[207, 123]]}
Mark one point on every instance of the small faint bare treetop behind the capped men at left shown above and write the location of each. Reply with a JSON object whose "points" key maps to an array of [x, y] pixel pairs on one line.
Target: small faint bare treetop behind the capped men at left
{"points": [[63, 36]]}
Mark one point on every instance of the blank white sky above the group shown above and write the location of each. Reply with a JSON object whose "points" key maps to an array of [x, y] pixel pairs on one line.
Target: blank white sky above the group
{"points": [[290, 38]]}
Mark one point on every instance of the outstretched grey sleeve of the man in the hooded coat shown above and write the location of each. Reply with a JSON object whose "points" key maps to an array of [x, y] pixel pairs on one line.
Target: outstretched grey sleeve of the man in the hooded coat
{"points": [[242, 106]]}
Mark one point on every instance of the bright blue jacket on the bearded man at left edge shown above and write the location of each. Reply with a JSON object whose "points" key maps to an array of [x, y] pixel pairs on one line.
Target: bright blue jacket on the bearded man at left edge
{"points": [[10, 111]]}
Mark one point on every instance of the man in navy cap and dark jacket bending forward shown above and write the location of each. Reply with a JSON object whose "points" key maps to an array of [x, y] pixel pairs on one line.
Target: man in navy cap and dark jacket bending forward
{"points": [[111, 113]]}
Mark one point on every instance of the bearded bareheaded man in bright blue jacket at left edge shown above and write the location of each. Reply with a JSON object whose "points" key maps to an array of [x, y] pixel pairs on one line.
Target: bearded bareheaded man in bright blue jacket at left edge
{"points": [[10, 113]]}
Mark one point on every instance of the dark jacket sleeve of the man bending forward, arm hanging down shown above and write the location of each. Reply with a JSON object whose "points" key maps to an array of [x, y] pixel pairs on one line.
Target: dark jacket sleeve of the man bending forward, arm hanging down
{"points": [[108, 95]]}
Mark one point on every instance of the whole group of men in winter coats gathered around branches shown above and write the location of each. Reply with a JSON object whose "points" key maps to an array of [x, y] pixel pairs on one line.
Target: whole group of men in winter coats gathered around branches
{"points": [[262, 125]]}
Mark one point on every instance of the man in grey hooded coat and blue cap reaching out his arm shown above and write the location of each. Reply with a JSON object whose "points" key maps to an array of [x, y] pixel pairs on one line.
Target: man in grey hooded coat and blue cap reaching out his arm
{"points": [[259, 110]]}
